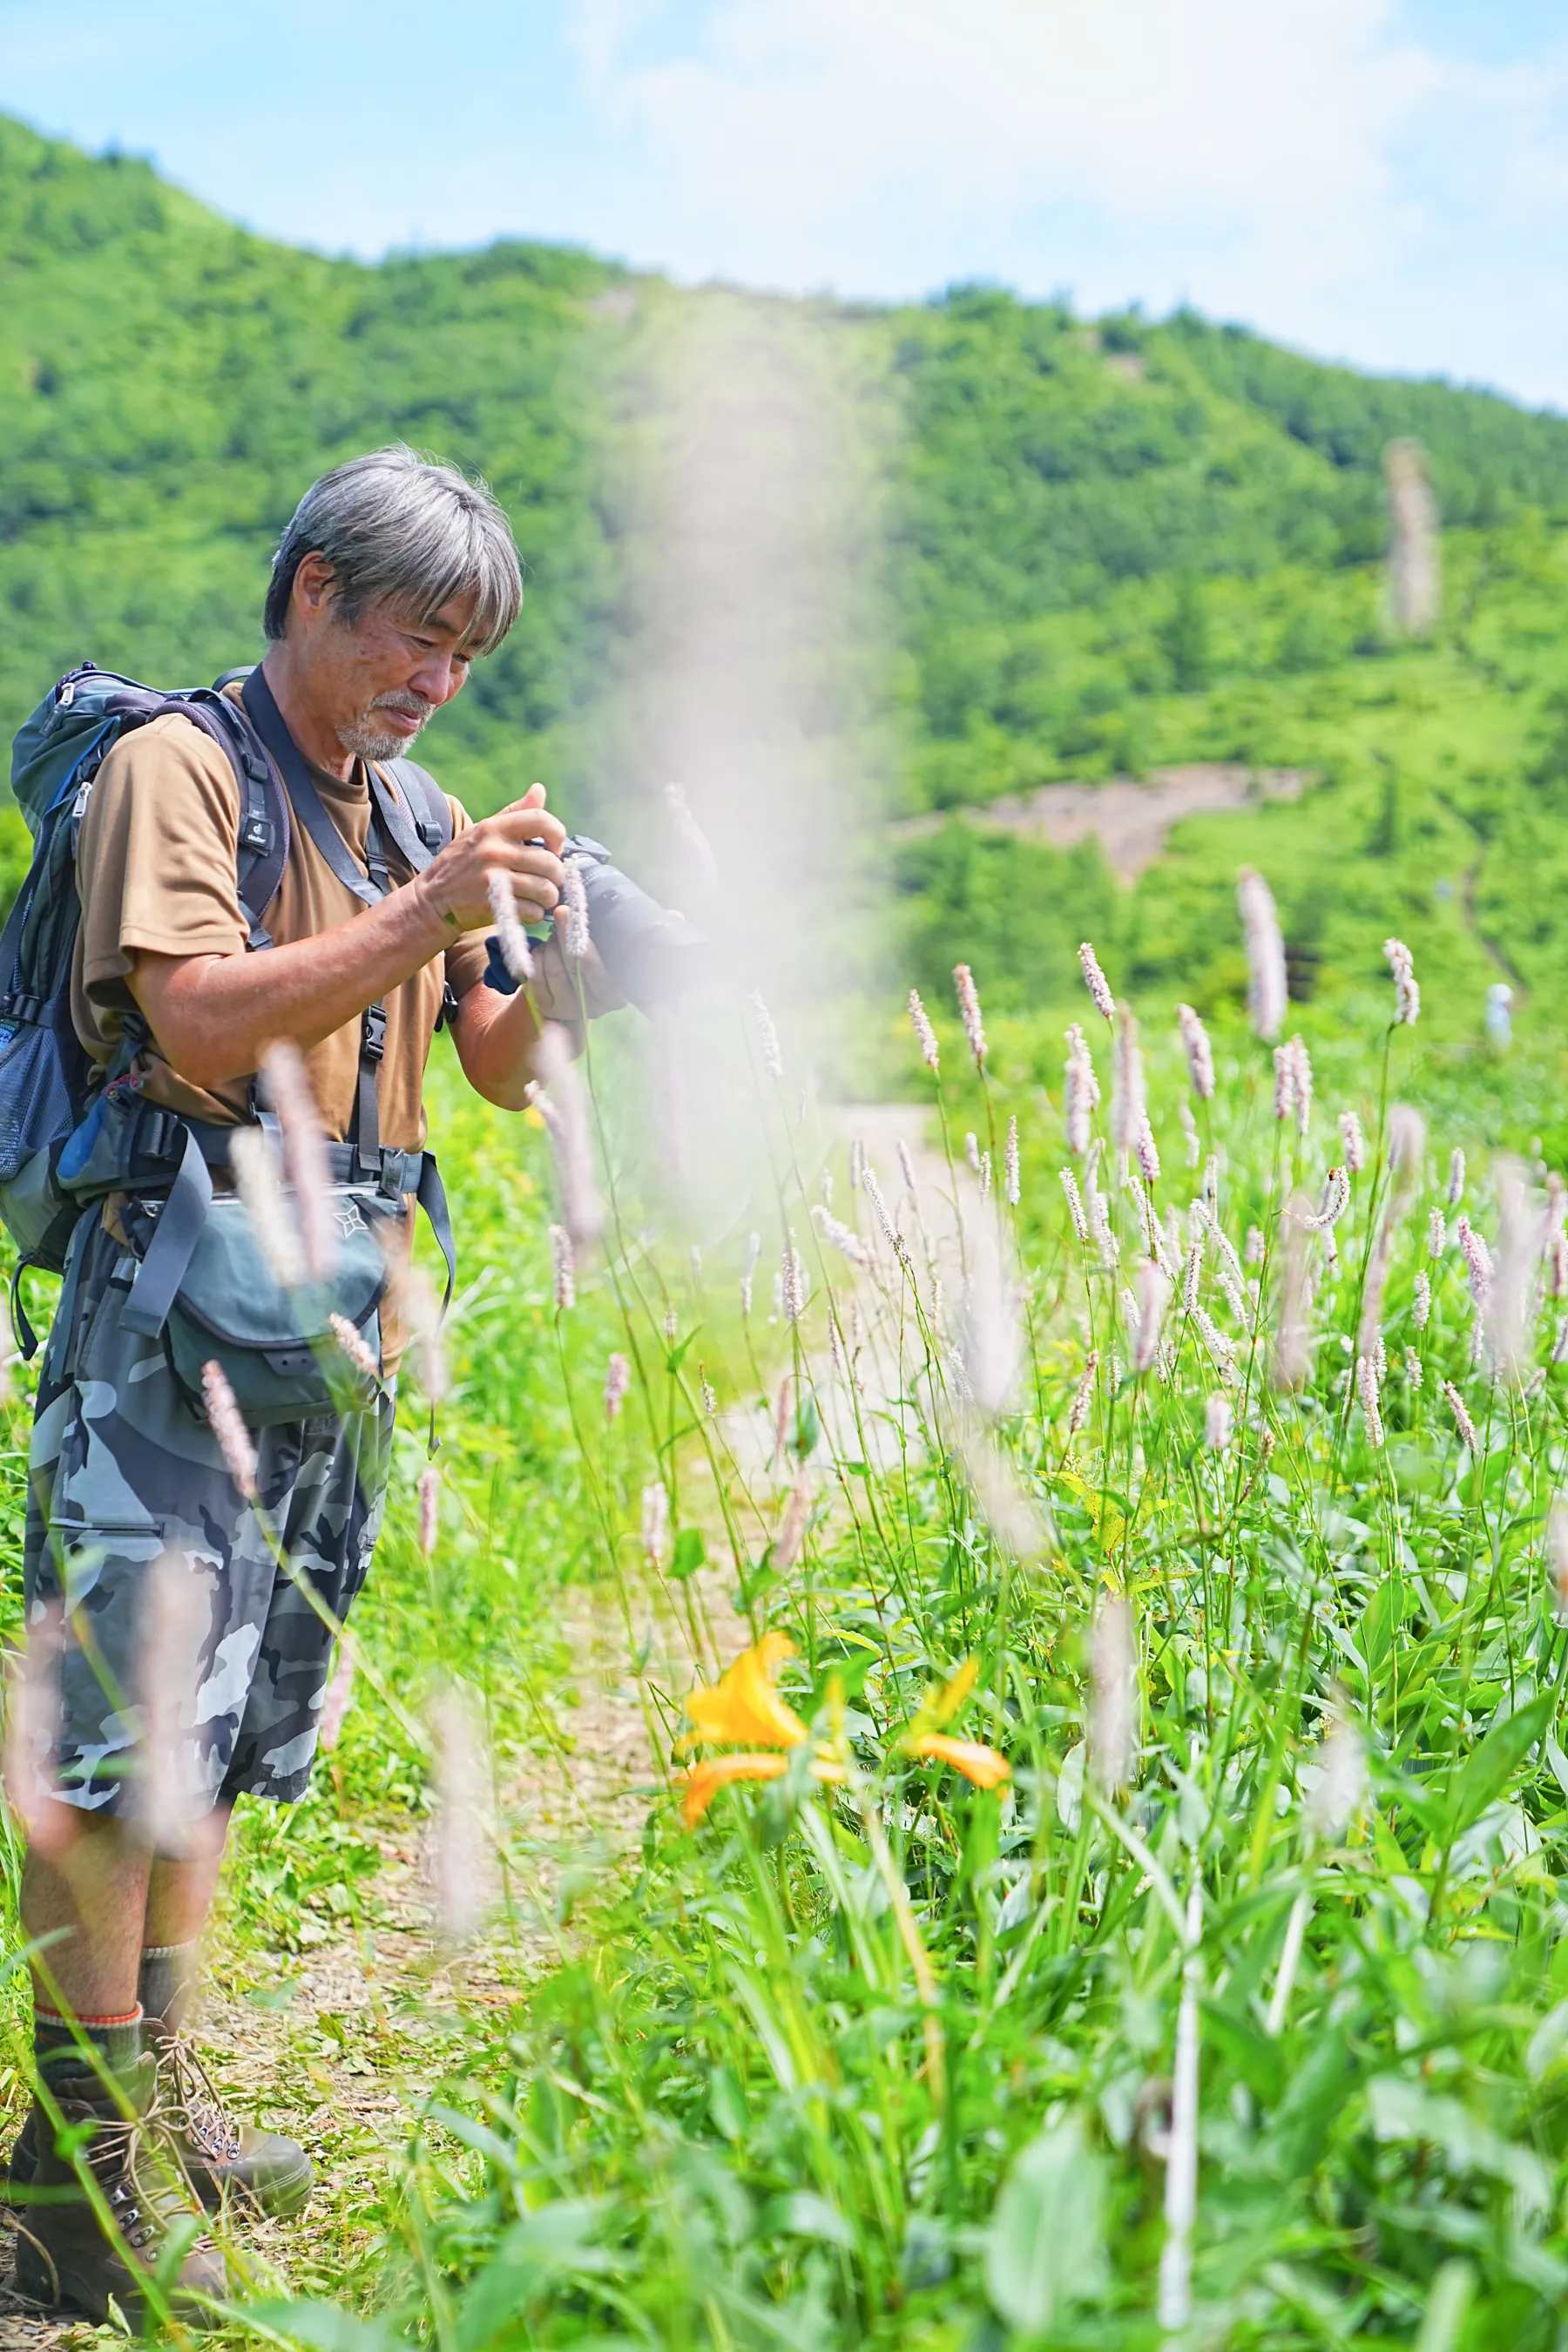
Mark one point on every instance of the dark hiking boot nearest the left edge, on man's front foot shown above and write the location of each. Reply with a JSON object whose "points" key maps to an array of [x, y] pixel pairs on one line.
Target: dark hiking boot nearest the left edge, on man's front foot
{"points": [[67, 2259]]}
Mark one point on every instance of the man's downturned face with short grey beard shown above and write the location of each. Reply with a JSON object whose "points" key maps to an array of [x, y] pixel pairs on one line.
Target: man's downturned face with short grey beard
{"points": [[377, 681]]}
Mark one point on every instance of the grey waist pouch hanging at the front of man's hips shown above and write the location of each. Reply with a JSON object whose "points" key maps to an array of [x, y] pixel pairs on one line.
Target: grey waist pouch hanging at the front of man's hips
{"points": [[276, 1347]]}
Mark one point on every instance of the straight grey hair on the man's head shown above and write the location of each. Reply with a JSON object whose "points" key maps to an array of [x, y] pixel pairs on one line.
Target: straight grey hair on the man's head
{"points": [[406, 528]]}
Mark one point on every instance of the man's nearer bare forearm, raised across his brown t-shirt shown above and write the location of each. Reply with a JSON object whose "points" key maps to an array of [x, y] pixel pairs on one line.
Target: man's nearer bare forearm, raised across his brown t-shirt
{"points": [[215, 1015]]}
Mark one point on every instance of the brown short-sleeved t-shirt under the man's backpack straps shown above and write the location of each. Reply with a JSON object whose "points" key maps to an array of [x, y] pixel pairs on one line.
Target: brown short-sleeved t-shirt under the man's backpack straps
{"points": [[156, 869]]}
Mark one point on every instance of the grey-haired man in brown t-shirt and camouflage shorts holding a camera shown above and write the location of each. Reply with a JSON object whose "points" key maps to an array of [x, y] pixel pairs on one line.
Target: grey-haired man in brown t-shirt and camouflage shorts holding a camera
{"points": [[391, 580]]}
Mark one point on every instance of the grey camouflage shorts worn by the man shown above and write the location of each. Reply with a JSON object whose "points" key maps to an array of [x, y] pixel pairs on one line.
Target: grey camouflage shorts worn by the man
{"points": [[173, 1603]]}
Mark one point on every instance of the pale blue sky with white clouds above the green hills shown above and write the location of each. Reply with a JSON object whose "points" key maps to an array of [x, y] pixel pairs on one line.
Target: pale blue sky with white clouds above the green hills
{"points": [[1372, 180]]}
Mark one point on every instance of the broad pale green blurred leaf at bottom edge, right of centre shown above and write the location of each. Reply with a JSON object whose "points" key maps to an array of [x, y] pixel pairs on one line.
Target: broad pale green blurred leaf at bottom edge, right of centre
{"points": [[1045, 2245]]}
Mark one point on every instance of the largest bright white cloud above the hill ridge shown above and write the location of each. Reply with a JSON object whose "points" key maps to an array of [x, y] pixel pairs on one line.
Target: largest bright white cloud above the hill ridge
{"points": [[824, 138]]}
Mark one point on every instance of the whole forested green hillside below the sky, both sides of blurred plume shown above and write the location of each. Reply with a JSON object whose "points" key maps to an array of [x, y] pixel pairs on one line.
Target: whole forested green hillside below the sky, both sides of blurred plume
{"points": [[1113, 547]]}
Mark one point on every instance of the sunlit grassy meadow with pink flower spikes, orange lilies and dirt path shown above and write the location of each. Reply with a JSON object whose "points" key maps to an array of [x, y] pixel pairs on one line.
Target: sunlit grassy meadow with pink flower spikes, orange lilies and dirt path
{"points": [[1233, 2012]]}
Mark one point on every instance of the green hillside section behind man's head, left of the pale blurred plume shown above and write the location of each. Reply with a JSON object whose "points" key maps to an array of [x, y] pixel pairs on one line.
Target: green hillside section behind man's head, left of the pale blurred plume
{"points": [[170, 385]]}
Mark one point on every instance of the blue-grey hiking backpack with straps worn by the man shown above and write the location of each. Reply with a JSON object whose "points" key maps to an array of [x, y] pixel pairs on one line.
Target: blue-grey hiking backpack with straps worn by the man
{"points": [[48, 1081]]}
